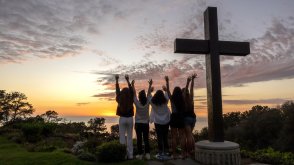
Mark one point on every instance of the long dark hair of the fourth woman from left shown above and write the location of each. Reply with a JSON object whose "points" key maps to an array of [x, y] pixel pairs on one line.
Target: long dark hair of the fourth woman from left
{"points": [[177, 99]]}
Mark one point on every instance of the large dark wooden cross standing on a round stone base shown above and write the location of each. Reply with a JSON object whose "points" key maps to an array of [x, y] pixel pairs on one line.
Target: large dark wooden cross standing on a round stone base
{"points": [[213, 48]]}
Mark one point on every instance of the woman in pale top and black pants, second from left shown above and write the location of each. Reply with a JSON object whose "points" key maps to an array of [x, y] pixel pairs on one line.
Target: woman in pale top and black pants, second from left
{"points": [[142, 119]]}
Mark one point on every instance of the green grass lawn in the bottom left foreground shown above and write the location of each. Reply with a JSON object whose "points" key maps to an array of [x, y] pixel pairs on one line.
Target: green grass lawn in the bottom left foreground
{"points": [[14, 154]]}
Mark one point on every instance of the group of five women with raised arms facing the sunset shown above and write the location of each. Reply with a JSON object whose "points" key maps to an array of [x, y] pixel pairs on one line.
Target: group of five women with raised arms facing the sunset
{"points": [[181, 118]]}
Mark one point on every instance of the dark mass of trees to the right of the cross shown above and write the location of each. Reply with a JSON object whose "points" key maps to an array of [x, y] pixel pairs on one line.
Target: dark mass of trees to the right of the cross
{"points": [[262, 127]]}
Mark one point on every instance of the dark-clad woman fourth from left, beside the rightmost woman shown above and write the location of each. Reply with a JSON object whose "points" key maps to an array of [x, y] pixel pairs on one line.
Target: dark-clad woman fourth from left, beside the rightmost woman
{"points": [[177, 118]]}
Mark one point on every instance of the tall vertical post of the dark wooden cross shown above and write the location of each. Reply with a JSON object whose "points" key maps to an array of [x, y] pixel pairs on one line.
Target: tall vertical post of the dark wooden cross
{"points": [[214, 96]]}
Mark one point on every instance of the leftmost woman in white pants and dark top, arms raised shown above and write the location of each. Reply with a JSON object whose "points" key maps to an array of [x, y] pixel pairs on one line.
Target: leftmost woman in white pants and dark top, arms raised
{"points": [[125, 111]]}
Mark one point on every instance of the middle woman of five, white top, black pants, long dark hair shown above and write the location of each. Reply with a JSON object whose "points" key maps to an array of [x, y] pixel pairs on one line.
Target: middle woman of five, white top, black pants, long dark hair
{"points": [[160, 115]]}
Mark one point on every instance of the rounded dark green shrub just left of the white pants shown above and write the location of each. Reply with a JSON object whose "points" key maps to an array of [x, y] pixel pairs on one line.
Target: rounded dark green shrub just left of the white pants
{"points": [[111, 152]]}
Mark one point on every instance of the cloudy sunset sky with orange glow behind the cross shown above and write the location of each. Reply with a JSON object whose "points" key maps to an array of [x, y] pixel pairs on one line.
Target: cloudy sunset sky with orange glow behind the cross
{"points": [[63, 53]]}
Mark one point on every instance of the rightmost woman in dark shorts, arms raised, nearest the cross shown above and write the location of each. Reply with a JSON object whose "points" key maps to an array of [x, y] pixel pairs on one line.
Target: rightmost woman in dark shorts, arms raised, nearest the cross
{"points": [[189, 115]]}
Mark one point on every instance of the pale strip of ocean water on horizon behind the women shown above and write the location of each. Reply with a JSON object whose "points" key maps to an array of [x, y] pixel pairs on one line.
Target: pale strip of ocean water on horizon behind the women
{"points": [[112, 120]]}
